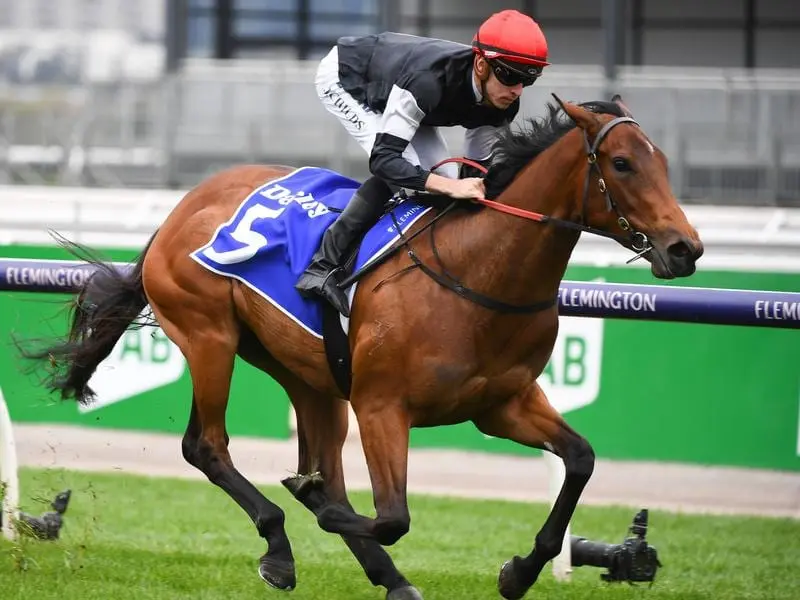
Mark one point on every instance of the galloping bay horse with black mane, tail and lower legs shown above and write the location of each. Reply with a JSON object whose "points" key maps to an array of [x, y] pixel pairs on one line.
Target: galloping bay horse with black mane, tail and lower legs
{"points": [[422, 355]]}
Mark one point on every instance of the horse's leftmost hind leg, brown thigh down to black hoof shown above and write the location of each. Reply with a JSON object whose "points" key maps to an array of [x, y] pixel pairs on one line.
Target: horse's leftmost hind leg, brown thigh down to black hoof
{"points": [[209, 347]]}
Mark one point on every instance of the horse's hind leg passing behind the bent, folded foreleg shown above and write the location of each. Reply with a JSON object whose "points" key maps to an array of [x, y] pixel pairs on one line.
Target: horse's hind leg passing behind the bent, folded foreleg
{"points": [[322, 428]]}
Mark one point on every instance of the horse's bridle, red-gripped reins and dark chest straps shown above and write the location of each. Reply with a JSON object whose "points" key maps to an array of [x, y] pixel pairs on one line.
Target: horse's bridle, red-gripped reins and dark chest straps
{"points": [[636, 240]]}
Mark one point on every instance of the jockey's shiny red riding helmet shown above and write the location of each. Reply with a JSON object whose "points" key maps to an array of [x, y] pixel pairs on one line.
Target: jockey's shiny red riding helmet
{"points": [[511, 36]]}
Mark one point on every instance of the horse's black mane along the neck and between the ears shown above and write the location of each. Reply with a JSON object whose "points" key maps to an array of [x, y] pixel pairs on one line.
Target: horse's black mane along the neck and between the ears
{"points": [[515, 149]]}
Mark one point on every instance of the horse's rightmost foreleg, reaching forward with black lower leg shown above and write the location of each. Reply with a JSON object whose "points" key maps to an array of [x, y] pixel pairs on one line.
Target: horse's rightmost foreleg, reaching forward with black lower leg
{"points": [[529, 419]]}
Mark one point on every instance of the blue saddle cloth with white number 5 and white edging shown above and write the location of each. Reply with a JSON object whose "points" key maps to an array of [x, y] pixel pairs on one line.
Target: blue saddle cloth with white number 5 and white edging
{"points": [[270, 239]]}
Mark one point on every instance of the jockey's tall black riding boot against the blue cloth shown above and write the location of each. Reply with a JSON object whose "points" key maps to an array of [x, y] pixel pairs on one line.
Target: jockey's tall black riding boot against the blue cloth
{"points": [[364, 209]]}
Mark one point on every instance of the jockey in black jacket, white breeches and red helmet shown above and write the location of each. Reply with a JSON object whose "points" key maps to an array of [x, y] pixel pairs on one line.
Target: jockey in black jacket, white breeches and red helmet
{"points": [[391, 91]]}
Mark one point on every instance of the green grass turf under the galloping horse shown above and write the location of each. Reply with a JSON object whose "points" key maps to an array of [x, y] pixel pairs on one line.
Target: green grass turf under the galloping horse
{"points": [[146, 538]]}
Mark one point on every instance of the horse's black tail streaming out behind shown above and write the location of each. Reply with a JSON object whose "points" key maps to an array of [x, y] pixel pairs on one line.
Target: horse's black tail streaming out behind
{"points": [[102, 310]]}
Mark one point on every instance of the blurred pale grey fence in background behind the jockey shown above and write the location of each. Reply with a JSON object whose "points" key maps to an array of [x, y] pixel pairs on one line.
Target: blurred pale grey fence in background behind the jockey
{"points": [[731, 137]]}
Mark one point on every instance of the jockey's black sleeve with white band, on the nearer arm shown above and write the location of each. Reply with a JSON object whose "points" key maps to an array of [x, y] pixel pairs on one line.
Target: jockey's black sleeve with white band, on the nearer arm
{"points": [[405, 108]]}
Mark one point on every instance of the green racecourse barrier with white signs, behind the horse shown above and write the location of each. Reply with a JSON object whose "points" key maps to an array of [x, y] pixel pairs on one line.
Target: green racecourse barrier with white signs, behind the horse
{"points": [[637, 389]]}
